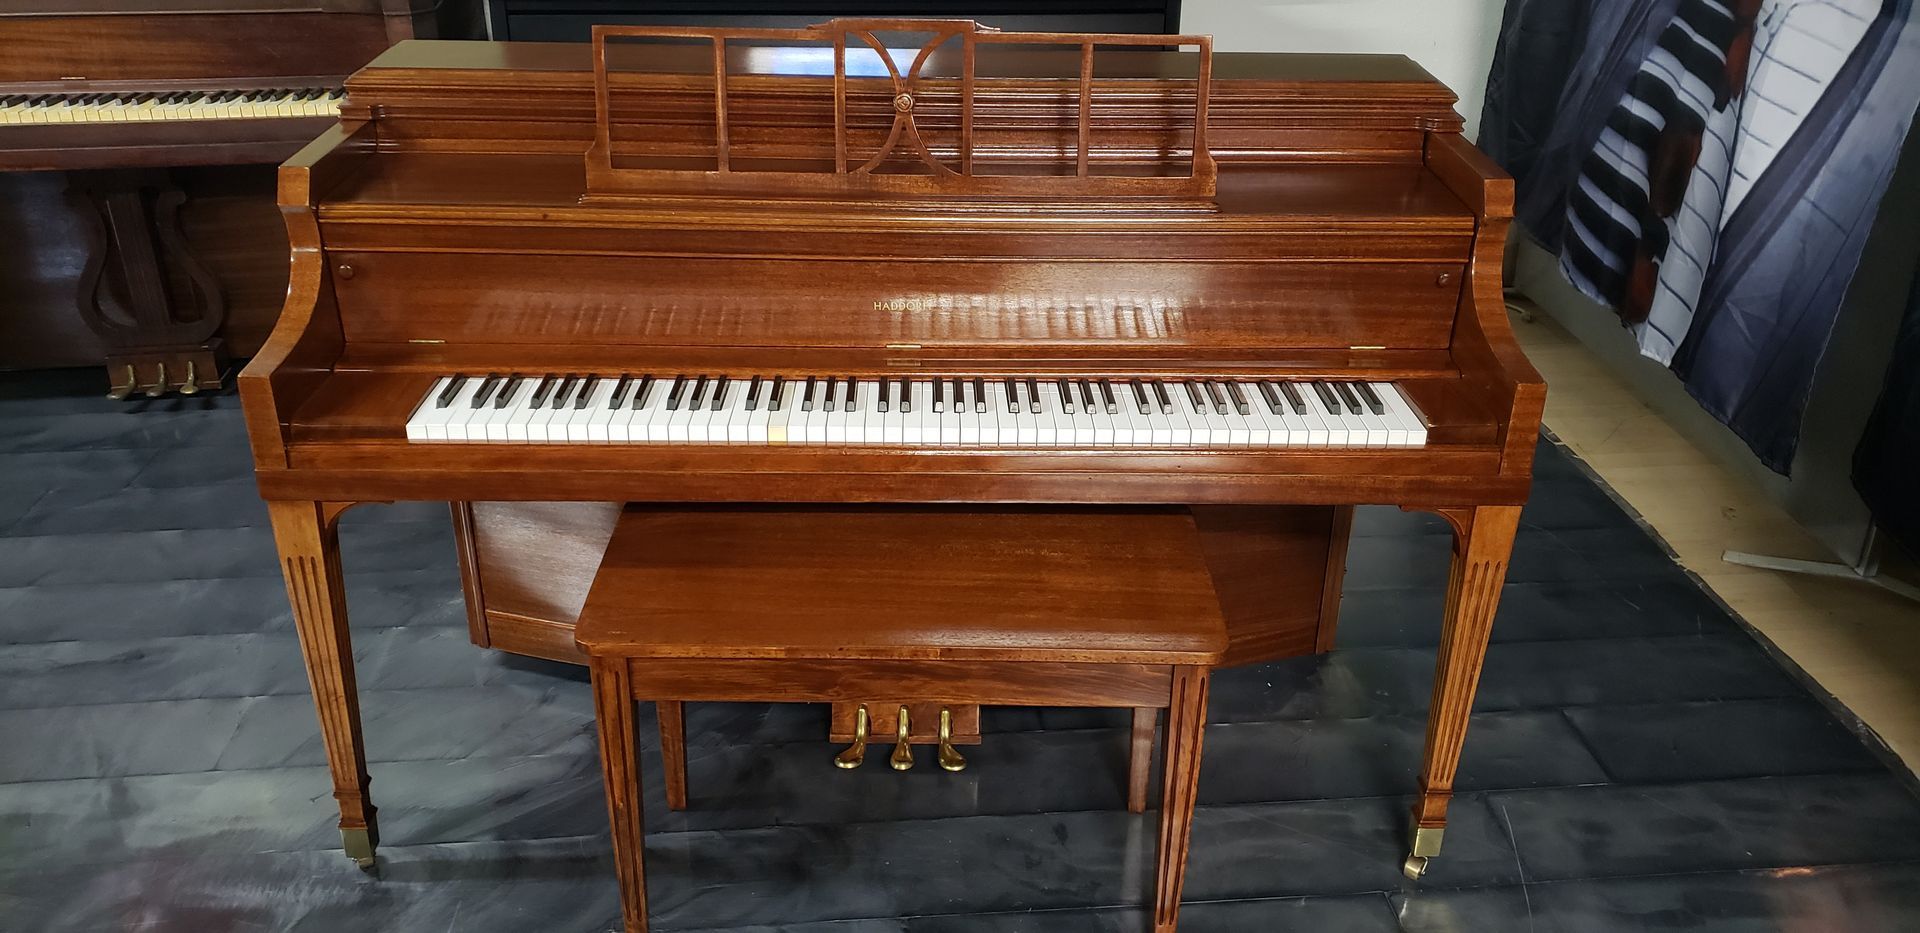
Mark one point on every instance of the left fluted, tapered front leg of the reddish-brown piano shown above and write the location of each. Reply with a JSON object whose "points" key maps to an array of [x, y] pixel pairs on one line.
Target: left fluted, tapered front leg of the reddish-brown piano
{"points": [[310, 558]]}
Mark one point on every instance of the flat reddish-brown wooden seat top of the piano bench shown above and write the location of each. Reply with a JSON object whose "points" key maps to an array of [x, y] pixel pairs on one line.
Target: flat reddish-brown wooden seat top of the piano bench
{"points": [[1109, 586]]}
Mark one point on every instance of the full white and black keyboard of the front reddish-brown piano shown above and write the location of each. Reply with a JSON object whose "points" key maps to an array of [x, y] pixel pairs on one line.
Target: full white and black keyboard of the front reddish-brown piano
{"points": [[915, 412]]}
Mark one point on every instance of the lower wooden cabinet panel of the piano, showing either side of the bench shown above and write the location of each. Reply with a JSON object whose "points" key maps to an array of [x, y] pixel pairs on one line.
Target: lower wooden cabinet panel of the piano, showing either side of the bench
{"points": [[527, 571]]}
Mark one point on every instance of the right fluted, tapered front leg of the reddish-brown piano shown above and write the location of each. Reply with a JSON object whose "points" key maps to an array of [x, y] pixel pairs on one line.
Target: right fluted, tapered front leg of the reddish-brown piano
{"points": [[1483, 540]]}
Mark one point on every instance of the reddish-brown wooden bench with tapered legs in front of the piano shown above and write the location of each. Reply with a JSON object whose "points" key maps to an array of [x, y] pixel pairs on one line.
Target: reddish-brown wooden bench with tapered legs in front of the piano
{"points": [[934, 608]]}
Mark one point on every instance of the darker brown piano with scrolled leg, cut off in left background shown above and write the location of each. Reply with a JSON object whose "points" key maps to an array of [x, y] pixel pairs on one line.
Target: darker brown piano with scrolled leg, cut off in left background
{"points": [[118, 95]]}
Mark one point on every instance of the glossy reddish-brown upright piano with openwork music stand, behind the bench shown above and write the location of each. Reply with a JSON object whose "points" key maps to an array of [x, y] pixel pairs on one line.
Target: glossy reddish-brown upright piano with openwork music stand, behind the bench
{"points": [[886, 262]]}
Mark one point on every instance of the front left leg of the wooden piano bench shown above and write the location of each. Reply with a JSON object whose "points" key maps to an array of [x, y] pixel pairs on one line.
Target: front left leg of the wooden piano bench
{"points": [[613, 711]]}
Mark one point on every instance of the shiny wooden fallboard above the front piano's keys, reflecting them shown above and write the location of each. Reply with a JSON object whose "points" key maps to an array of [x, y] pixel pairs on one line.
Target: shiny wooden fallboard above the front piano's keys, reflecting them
{"points": [[644, 300]]}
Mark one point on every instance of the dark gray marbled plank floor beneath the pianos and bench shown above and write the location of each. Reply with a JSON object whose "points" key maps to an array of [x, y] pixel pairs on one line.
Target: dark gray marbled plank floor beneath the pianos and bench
{"points": [[1637, 761]]}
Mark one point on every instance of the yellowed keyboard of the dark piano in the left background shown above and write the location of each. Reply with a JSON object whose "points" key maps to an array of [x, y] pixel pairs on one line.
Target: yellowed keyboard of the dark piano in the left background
{"points": [[153, 107]]}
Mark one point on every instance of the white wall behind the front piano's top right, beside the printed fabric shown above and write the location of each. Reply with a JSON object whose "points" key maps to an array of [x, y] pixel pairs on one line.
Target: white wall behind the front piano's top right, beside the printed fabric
{"points": [[1452, 39]]}
